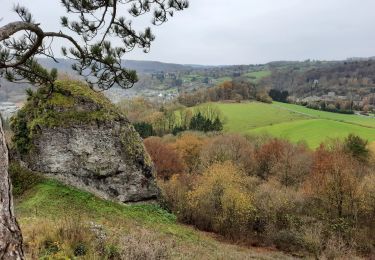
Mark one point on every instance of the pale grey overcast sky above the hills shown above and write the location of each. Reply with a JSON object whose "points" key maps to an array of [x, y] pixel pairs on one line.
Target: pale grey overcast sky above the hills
{"points": [[218, 32]]}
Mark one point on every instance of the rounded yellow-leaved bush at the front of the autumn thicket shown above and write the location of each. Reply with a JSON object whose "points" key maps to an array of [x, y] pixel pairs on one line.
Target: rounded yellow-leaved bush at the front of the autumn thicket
{"points": [[219, 201]]}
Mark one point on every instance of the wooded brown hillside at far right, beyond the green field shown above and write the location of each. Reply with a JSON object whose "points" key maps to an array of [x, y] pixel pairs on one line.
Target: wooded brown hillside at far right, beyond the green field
{"points": [[355, 75]]}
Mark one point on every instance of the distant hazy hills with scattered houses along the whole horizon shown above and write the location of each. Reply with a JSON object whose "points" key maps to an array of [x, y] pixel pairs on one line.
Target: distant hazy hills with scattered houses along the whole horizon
{"points": [[354, 75]]}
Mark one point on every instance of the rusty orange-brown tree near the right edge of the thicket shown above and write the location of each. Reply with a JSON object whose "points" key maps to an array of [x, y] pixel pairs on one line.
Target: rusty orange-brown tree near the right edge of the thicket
{"points": [[334, 182]]}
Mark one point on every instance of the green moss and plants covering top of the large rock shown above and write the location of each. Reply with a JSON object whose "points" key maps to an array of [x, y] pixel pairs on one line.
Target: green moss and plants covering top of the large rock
{"points": [[68, 103]]}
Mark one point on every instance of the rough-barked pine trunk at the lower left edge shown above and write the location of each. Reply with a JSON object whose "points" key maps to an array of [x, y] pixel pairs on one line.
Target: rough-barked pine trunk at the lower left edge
{"points": [[10, 233]]}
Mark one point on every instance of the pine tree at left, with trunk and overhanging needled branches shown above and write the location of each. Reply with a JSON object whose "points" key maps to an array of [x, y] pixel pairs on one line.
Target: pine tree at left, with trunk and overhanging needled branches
{"points": [[86, 30]]}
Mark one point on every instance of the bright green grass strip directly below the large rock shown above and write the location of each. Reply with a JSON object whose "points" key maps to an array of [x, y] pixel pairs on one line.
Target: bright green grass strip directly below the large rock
{"points": [[49, 197]]}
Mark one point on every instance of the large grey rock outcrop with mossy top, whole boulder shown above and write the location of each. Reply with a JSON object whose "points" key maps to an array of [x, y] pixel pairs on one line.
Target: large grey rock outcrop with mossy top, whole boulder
{"points": [[76, 136]]}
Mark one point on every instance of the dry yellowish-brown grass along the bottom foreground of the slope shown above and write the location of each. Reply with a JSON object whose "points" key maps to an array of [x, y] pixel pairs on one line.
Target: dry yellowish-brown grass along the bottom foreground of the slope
{"points": [[80, 238]]}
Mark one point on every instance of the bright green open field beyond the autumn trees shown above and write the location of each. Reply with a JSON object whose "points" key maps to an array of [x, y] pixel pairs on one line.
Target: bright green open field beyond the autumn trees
{"points": [[295, 123]]}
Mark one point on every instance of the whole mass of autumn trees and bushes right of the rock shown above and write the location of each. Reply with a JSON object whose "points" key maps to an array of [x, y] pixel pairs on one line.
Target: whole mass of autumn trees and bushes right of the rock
{"points": [[271, 192]]}
